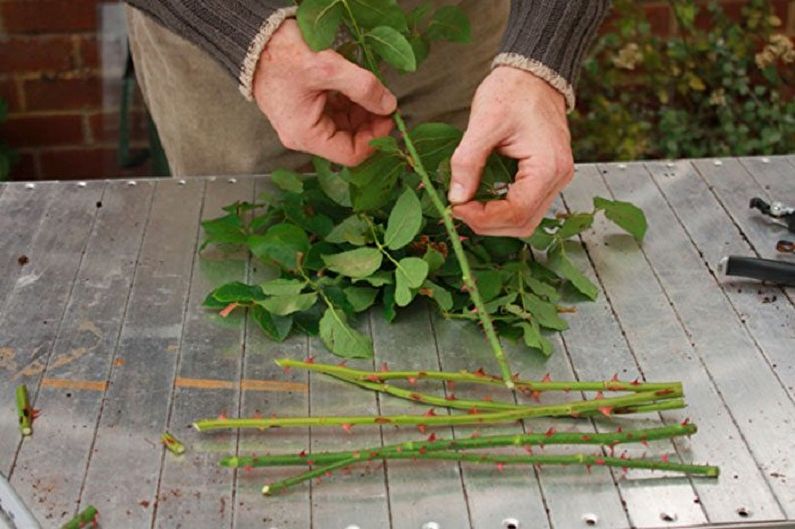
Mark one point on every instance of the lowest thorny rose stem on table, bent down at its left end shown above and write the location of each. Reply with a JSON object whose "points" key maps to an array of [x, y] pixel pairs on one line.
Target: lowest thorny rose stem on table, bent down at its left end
{"points": [[585, 460]]}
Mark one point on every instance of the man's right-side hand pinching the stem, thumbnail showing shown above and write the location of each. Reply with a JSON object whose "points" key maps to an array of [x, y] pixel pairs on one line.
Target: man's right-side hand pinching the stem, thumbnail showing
{"points": [[522, 117]]}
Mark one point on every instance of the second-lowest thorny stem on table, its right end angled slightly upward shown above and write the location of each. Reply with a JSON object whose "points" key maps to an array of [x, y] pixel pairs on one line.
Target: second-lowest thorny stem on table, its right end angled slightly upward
{"points": [[611, 439]]}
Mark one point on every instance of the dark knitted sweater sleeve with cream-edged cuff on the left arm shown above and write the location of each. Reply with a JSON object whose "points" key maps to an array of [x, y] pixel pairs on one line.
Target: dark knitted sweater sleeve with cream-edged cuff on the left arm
{"points": [[233, 32]]}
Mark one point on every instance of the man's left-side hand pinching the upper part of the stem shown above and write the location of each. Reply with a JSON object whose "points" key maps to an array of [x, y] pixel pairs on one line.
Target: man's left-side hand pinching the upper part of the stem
{"points": [[320, 103]]}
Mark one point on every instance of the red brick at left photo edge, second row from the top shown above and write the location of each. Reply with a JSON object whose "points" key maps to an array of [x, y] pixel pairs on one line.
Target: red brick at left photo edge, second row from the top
{"points": [[34, 54]]}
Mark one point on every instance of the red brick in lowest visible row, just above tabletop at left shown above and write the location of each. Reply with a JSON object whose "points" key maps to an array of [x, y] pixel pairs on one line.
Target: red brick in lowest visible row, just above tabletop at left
{"points": [[85, 163]]}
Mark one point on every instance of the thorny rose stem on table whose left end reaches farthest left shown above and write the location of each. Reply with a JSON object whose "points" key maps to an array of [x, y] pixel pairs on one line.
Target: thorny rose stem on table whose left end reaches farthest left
{"points": [[568, 409]]}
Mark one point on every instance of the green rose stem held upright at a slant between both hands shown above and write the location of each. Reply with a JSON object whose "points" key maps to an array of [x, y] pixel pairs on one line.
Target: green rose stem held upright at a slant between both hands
{"points": [[447, 217]]}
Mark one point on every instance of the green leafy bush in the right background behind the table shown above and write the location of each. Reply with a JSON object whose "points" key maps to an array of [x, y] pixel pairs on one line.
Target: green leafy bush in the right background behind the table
{"points": [[697, 93]]}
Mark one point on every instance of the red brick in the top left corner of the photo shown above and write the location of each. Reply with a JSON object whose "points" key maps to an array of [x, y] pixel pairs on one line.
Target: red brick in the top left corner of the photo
{"points": [[48, 16]]}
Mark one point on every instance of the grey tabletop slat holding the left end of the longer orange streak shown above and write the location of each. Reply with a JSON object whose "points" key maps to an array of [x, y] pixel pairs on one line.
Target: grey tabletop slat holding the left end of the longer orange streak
{"points": [[211, 346]]}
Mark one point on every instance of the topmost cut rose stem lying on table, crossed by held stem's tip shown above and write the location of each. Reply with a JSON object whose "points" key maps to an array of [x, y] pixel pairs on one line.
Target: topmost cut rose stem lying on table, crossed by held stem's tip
{"points": [[478, 377]]}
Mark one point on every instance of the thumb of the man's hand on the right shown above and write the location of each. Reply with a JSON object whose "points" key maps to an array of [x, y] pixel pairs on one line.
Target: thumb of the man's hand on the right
{"points": [[468, 162]]}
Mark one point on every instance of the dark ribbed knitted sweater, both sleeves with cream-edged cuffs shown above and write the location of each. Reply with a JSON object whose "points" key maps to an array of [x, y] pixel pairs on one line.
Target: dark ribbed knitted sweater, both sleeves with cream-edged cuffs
{"points": [[545, 37]]}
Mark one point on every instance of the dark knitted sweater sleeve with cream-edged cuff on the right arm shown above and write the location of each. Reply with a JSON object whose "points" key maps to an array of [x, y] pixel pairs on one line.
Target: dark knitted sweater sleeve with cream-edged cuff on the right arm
{"points": [[549, 38]]}
